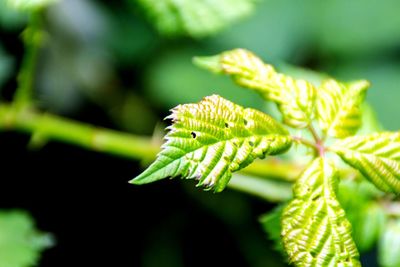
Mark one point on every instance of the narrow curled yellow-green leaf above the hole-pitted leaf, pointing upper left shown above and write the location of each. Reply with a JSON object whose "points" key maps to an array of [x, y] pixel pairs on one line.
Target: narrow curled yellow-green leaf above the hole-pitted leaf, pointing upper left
{"points": [[295, 98]]}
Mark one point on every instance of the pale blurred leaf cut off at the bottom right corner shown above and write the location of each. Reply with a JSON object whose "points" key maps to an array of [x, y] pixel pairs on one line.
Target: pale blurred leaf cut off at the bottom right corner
{"points": [[389, 245]]}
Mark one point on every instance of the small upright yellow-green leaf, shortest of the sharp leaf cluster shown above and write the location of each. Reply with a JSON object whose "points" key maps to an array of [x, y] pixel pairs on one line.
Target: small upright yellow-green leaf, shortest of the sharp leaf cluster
{"points": [[338, 107]]}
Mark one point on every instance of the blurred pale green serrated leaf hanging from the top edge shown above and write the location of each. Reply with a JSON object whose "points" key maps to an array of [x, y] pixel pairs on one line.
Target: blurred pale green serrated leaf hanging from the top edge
{"points": [[195, 18]]}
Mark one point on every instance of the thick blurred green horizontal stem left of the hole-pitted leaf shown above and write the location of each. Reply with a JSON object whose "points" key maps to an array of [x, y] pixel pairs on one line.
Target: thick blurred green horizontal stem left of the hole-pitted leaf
{"points": [[47, 126]]}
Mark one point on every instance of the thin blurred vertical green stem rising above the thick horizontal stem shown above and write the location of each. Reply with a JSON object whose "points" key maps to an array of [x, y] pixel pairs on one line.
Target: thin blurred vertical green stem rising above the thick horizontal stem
{"points": [[32, 37]]}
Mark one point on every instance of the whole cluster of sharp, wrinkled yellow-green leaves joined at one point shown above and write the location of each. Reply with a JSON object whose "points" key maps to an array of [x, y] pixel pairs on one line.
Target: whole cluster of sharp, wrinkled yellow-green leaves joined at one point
{"points": [[210, 140]]}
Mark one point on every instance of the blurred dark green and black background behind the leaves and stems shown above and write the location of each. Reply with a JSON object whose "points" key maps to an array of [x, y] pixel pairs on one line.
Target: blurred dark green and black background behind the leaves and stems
{"points": [[105, 63]]}
